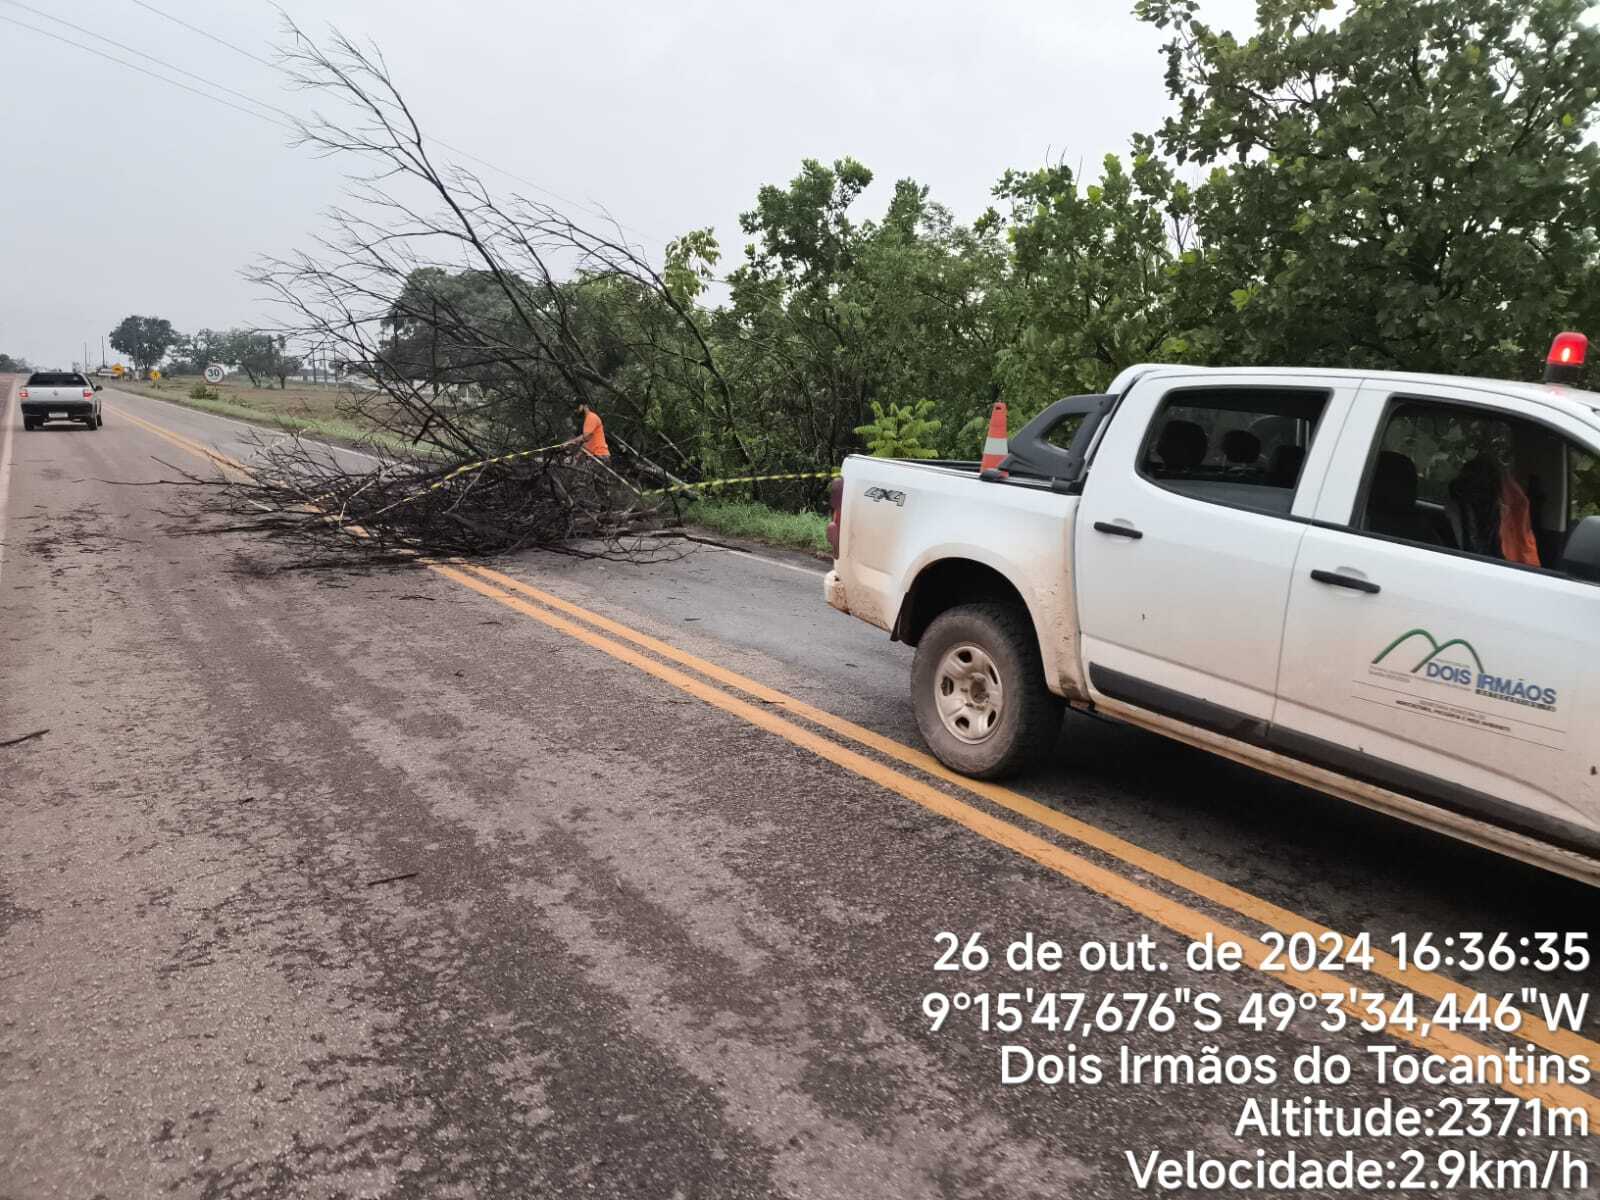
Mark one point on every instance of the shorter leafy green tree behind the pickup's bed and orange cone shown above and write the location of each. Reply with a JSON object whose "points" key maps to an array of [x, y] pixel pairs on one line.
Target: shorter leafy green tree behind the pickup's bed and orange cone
{"points": [[831, 314]]}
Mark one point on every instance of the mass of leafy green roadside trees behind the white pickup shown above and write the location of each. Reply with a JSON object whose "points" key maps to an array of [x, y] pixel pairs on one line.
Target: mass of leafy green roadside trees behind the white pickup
{"points": [[1394, 185]]}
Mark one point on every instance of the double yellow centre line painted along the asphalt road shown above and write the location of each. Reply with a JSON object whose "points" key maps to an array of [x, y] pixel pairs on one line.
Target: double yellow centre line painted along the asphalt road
{"points": [[778, 714]]}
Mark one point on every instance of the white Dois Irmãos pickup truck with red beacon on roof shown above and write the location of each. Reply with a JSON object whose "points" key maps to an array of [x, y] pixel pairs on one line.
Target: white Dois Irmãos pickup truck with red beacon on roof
{"points": [[1383, 586]]}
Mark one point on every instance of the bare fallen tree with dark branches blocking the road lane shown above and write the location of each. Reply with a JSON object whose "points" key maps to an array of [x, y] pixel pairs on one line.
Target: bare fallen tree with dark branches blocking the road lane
{"points": [[468, 330]]}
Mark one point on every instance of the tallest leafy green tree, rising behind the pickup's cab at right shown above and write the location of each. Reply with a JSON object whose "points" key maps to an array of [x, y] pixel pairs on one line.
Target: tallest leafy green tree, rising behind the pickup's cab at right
{"points": [[1412, 186]]}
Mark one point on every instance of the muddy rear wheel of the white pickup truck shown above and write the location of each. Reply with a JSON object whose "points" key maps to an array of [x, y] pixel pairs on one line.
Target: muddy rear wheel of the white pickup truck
{"points": [[978, 690]]}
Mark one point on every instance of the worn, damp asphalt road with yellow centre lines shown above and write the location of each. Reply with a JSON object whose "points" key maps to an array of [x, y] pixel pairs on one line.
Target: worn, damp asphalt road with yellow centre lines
{"points": [[594, 879]]}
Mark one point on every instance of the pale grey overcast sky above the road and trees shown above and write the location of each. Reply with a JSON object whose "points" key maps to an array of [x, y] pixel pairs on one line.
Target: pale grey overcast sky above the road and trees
{"points": [[126, 194]]}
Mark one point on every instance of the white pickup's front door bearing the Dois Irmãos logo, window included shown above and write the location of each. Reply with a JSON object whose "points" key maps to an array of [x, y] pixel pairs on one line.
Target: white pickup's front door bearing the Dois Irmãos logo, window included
{"points": [[1433, 646]]}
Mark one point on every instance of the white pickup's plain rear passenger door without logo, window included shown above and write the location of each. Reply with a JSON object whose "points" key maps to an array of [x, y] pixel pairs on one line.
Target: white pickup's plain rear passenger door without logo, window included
{"points": [[1186, 540]]}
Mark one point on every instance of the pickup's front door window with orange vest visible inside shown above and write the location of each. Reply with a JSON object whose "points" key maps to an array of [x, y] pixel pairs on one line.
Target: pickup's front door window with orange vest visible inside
{"points": [[1474, 481]]}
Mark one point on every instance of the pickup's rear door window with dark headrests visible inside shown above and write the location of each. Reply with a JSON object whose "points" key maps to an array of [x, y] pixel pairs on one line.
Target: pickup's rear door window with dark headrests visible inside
{"points": [[1242, 447]]}
